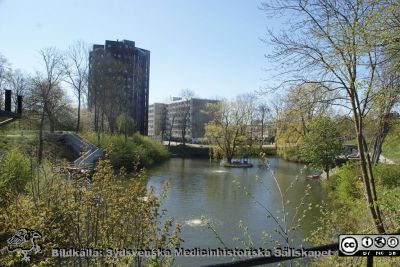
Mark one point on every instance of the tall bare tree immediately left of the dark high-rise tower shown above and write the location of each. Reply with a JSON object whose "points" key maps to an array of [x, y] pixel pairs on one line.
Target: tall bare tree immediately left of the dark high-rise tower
{"points": [[76, 67]]}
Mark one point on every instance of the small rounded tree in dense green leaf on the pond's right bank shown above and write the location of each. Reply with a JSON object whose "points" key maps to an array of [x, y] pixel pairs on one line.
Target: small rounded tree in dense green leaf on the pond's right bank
{"points": [[322, 144]]}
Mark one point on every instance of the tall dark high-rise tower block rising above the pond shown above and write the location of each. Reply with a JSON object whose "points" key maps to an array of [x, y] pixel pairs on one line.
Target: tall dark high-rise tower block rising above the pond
{"points": [[119, 83]]}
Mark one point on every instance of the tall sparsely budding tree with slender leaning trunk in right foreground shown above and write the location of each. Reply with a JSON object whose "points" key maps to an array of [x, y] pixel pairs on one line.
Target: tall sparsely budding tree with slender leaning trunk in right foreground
{"points": [[329, 44]]}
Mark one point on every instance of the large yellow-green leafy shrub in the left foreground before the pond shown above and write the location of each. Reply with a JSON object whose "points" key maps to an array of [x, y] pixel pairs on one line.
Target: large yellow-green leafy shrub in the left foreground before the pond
{"points": [[108, 212]]}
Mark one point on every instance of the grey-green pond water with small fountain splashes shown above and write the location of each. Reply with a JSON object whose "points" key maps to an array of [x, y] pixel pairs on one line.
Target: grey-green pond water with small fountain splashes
{"points": [[202, 188]]}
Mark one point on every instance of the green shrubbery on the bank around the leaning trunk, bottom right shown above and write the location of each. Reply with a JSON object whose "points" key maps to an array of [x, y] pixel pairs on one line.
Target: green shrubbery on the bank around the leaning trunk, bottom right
{"points": [[346, 200]]}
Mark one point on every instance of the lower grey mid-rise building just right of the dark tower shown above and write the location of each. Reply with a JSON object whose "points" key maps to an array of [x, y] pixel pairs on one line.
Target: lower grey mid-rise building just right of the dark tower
{"points": [[171, 118]]}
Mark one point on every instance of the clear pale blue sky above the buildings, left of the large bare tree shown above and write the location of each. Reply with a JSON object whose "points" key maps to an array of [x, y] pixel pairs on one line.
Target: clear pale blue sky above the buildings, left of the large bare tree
{"points": [[209, 46]]}
